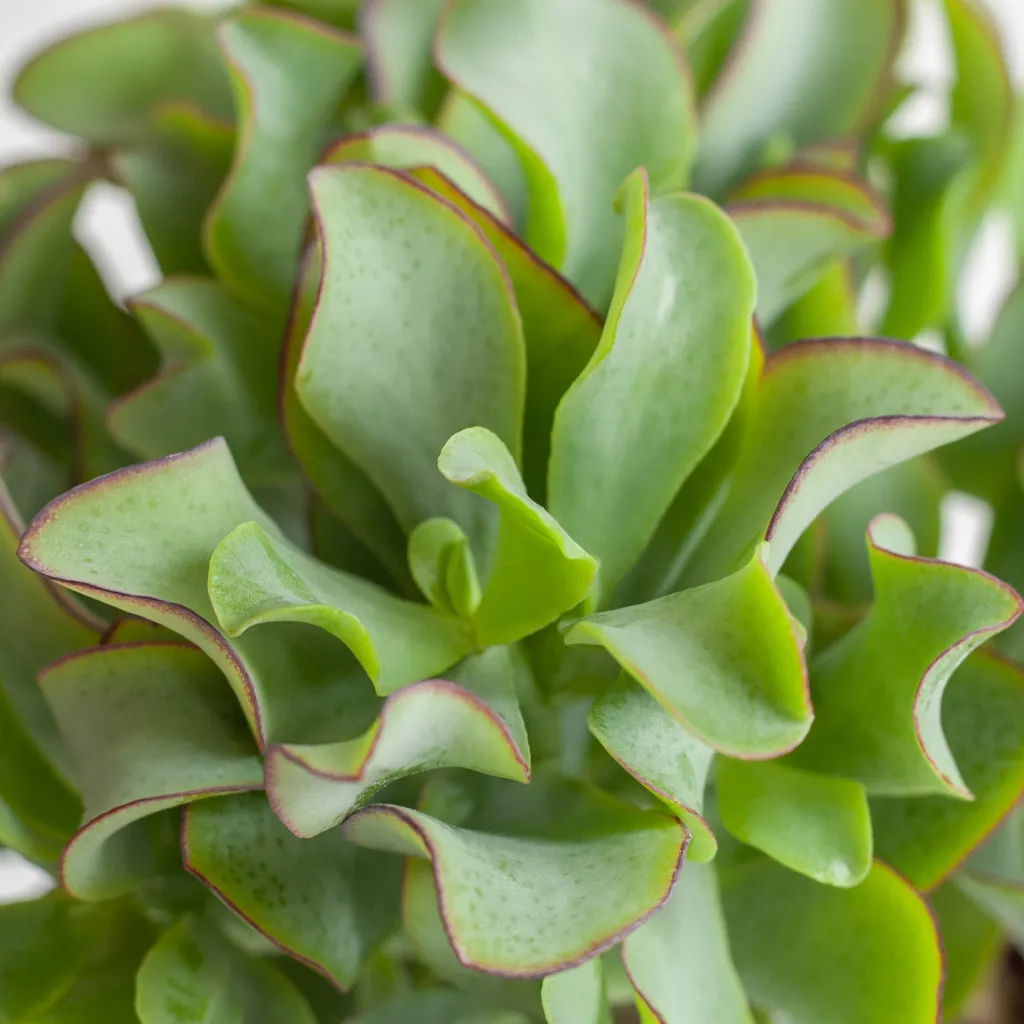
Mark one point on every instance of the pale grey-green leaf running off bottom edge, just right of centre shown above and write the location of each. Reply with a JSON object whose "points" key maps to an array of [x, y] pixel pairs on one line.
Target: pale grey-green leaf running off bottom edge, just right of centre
{"points": [[678, 962]]}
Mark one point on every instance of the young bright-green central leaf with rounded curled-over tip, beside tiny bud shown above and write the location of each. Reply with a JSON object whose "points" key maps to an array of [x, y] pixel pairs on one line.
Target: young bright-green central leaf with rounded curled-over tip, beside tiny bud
{"points": [[538, 572]]}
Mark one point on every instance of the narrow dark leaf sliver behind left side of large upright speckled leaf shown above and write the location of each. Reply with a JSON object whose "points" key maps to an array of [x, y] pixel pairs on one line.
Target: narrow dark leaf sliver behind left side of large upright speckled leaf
{"points": [[350, 494]]}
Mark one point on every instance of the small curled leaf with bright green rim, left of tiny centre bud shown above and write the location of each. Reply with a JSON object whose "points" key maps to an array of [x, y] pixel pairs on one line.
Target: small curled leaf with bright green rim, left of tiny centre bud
{"points": [[257, 577]]}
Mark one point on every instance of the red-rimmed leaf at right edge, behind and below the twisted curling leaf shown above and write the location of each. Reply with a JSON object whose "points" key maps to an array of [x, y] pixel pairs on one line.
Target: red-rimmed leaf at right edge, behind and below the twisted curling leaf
{"points": [[925, 838]]}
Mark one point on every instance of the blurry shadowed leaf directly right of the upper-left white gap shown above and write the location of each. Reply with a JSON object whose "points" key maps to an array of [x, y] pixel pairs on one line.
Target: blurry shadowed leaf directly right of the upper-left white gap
{"points": [[175, 175]]}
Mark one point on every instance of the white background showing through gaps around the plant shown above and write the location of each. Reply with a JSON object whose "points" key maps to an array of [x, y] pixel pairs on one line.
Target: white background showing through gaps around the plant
{"points": [[108, 227]]}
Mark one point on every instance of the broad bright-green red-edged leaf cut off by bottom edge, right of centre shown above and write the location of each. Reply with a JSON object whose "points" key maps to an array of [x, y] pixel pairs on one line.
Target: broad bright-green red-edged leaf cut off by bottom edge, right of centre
{"points": [[827, 956]]}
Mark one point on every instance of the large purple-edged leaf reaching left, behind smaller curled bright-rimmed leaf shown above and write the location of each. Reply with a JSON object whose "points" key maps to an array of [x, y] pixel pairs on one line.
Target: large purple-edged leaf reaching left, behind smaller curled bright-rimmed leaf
{"points": [[142, 540]]}
